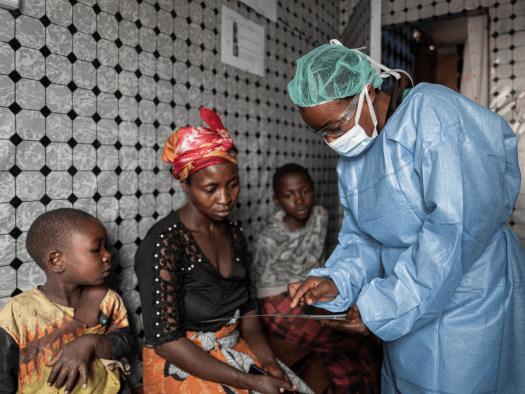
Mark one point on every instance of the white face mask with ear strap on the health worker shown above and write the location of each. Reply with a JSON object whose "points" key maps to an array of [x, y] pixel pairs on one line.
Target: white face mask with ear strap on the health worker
{"points": [[355, 140]]}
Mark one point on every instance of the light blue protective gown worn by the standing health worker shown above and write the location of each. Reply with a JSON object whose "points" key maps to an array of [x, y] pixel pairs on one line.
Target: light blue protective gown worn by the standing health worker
{"points": [[425, 251]]}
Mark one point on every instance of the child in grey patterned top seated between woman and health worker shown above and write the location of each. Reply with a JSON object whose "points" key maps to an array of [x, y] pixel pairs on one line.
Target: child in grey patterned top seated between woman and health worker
{"points": [[287, 249]]}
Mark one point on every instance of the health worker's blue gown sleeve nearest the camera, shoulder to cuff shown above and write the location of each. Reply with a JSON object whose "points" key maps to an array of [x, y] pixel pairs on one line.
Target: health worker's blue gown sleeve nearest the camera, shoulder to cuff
{"points": [[470, 178]]}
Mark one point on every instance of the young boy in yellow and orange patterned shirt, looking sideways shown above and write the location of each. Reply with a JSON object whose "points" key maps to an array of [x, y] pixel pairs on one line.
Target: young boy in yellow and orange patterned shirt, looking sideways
{"points": [[70, 330]]}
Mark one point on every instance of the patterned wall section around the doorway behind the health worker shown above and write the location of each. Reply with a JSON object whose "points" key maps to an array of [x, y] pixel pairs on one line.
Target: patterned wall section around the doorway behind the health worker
{"points": [[507, 57]]}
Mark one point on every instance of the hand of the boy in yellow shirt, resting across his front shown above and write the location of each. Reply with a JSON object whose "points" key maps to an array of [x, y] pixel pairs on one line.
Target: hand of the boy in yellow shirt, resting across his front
{"points": [[71, 362]]}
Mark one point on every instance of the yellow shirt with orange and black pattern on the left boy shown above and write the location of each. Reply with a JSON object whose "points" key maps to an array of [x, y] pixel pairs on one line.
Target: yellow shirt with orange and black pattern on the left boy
{"points": [[33, 330]]}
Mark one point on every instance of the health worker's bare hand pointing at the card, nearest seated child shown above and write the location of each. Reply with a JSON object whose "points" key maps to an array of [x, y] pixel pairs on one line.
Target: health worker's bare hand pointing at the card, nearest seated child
{"points": [[313, 289]]}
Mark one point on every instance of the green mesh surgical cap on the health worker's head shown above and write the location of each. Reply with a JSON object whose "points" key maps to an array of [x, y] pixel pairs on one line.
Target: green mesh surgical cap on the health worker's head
{"points": [[330, 72]]}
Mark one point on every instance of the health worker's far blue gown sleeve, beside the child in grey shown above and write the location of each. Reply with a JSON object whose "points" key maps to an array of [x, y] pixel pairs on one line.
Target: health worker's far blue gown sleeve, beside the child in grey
{"points": [[355, 261]]}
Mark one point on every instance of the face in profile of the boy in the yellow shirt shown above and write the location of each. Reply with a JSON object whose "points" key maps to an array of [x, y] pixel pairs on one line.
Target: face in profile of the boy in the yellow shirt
{"points": [[88, 261]]}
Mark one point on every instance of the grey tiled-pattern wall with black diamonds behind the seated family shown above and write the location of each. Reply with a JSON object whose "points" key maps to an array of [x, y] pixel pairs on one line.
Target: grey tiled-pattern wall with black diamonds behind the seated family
{"points": [[90, 90]]}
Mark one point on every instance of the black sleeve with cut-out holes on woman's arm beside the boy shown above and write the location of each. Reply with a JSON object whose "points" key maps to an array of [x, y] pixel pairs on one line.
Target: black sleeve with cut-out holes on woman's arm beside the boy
{"points": [[160, 270]]}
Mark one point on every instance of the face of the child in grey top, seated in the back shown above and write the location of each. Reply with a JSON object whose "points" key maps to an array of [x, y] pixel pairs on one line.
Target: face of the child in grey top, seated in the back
{"points": [[296, 196]]}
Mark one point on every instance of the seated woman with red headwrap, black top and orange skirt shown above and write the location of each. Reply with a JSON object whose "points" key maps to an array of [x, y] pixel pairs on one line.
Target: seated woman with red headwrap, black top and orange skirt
{"points": [[192, 267]]}
